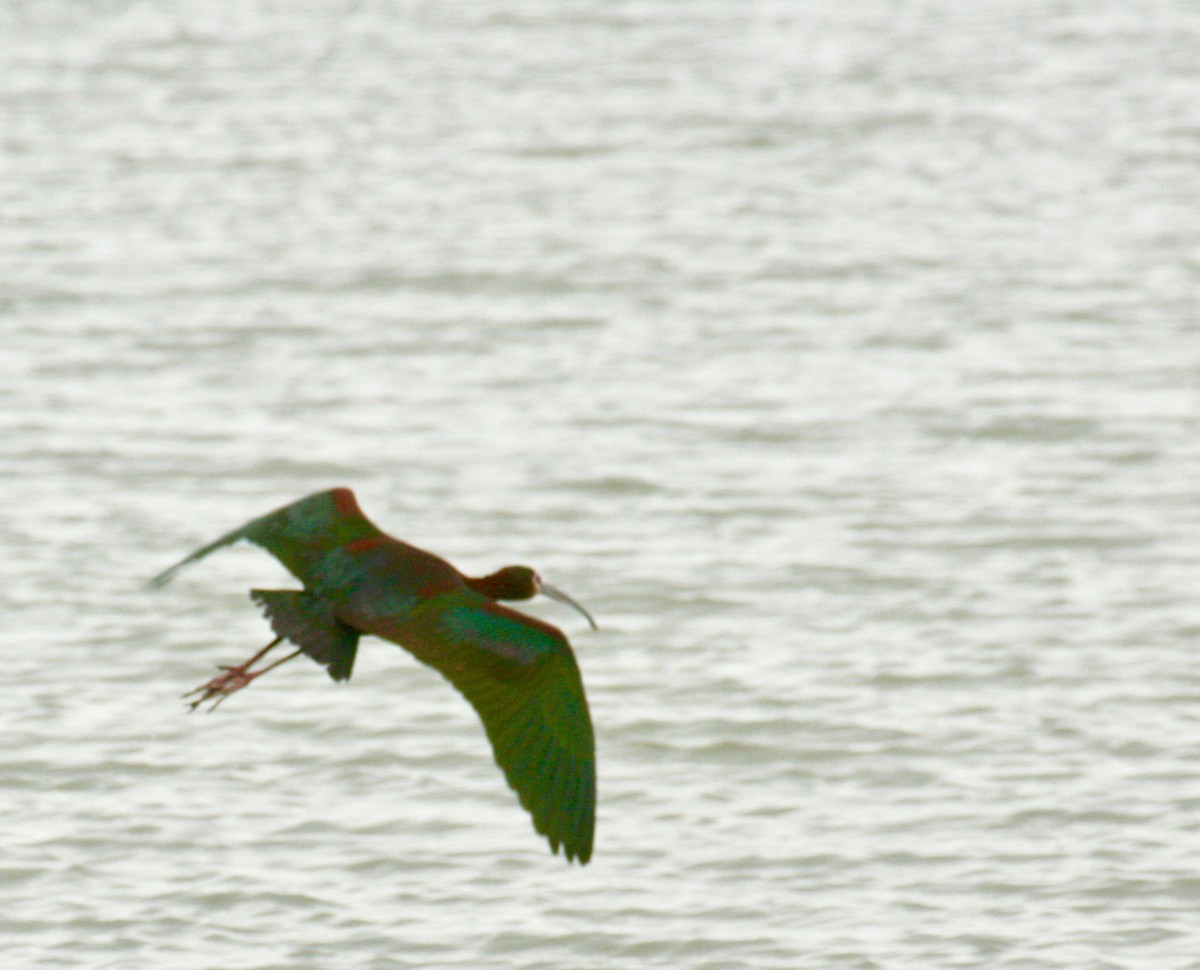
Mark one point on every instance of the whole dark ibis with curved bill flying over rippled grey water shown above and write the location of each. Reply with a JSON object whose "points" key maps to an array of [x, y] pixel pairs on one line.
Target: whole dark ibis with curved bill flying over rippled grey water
{"points": [[519, 674]]}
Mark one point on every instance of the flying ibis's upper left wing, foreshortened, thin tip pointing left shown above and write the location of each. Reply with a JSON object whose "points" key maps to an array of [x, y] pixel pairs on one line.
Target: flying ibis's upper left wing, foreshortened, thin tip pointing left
{"points": [[308, 537]]}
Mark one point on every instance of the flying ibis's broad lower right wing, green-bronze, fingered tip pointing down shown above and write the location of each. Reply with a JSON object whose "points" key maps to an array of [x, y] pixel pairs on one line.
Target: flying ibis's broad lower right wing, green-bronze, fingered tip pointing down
{"points": [[521, 678]]}
